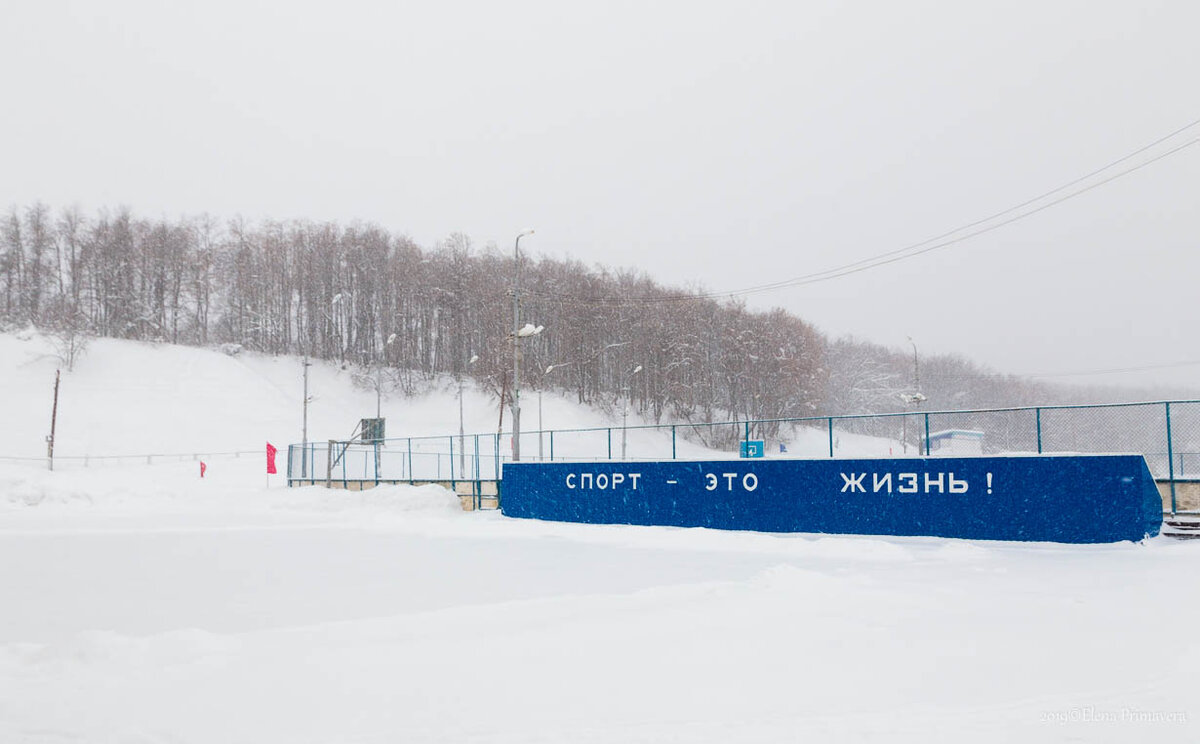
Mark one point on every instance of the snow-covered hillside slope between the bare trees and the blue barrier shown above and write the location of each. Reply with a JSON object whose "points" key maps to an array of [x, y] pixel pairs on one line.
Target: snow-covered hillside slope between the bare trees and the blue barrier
{"points": [[135, 400]]}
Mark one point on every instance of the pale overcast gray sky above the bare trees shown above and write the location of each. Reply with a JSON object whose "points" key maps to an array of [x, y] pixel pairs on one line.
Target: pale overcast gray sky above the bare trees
{"points": [[725, 146]]}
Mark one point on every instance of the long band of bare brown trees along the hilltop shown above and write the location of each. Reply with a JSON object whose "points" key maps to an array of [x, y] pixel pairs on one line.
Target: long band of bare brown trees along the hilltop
{"points": [[368, 298]]}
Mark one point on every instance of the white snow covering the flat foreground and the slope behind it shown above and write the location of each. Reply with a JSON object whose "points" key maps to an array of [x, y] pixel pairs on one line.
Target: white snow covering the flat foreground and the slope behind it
{"points": [[145, 605]]}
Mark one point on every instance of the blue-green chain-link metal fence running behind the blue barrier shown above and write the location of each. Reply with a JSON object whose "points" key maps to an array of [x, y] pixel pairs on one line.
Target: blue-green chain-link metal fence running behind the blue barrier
{"points": [[1166, 433]]}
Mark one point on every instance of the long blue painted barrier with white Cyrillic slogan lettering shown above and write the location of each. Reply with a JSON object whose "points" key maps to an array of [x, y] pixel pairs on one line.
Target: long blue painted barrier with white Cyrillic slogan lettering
{"points": [[1090, 499]]}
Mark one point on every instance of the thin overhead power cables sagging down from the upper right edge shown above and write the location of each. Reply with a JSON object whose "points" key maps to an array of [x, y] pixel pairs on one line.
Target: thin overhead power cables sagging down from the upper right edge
{"points": [[946, 239]]}
